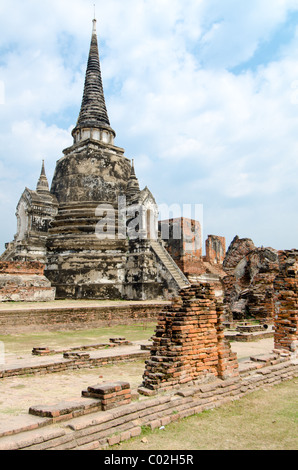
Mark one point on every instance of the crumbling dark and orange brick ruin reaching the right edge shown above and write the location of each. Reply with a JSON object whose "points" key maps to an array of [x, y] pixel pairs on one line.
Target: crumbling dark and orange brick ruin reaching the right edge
{"points": [[262, 284]]}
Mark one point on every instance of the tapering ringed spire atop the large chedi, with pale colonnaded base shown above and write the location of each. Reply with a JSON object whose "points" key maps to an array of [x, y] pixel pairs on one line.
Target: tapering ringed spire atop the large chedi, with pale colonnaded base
{"points": [[93, 121]]}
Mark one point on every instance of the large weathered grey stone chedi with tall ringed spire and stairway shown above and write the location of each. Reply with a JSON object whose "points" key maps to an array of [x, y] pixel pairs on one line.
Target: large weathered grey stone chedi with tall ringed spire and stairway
{"points": [[95, 230]]}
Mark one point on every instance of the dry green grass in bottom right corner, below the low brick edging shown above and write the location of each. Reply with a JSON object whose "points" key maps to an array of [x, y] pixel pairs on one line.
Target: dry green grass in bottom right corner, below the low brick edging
{"points": [[263, 420]]}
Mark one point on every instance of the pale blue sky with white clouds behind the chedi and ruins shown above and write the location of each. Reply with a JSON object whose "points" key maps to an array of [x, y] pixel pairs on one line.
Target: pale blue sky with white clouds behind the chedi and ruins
{"points": [[203, 94]]}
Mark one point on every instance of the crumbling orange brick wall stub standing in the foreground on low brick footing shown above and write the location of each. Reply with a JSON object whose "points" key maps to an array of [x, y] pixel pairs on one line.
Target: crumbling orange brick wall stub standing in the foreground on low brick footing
{"points": [[189, 343]]}
